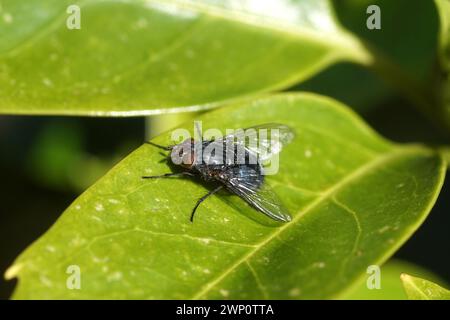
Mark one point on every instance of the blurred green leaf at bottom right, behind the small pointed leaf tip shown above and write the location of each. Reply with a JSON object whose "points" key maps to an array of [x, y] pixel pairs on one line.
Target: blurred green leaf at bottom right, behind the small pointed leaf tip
{"points": [[391, 287]]}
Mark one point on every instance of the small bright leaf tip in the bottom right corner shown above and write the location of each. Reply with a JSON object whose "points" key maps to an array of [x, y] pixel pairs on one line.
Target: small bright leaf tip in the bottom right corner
{"points": [[420, 289]]}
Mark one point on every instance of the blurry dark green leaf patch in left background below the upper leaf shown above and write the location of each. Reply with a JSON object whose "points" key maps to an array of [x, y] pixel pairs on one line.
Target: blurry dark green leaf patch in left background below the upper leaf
{"points": [[59, 155]]}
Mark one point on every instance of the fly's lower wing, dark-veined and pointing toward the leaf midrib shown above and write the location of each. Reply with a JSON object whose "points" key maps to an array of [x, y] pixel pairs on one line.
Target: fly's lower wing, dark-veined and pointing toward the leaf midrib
{"points": [[249, 185]]}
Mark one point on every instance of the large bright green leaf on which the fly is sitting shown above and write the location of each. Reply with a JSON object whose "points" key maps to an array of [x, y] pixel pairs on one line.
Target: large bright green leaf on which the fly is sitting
{"points": [[355, 199]]}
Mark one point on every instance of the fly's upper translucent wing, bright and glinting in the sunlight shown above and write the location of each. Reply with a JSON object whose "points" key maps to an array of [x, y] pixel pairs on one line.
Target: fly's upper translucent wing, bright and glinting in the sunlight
{"points": [[264, 140]]}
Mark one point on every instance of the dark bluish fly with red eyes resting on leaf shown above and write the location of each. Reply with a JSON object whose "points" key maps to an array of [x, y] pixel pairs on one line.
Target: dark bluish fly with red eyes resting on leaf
{"points": [[234, 162]]}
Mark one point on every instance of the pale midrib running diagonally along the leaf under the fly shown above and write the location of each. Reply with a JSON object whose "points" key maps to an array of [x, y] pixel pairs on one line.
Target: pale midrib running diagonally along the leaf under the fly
{"points": [[360, 171]]}
